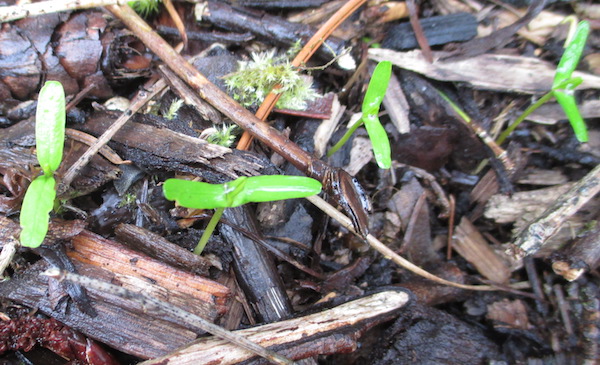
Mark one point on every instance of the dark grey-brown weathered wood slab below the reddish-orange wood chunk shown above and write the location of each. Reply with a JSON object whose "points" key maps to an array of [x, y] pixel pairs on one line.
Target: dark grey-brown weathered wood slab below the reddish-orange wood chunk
{"points": [[125, 329]]}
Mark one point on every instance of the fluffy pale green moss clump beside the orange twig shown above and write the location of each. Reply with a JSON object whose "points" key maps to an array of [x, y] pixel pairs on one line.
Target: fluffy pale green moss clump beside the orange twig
{"points": [[256, 78]]}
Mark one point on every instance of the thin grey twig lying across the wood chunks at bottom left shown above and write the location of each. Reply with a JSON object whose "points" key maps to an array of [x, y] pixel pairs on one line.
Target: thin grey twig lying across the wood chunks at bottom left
{"points": [[152, 305]]}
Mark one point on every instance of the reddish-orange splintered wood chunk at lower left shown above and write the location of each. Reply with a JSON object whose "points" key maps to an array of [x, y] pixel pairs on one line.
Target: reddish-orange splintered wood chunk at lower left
{"points": [[89, 248]]}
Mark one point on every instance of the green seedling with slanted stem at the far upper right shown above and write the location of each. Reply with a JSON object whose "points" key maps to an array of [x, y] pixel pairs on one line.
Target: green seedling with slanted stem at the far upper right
{"points": [[563, 87]]}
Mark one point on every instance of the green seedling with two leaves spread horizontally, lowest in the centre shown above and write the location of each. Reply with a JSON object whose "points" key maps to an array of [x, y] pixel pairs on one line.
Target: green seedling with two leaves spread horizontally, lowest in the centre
{"points": [[200, 195]]}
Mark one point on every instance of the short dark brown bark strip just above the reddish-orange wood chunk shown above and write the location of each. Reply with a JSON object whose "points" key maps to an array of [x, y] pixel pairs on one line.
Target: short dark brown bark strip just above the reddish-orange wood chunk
{"points": [[153, 245]]}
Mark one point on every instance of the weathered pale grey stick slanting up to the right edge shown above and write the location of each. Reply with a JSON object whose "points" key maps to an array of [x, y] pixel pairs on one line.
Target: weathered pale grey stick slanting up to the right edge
{"points": [[535, 235]]}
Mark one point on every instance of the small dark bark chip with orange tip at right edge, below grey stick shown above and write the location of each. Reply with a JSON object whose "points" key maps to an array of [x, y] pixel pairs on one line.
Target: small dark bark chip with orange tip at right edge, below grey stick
{"points": [[579, 256]]}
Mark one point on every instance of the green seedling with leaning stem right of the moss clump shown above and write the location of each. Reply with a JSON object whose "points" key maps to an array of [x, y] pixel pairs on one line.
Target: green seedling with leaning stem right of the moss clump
{"points": [[370, 116]]}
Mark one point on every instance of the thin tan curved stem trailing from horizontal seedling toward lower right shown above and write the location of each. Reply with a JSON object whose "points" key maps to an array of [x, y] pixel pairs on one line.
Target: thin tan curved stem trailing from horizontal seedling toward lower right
{"points": [[387, 252]]}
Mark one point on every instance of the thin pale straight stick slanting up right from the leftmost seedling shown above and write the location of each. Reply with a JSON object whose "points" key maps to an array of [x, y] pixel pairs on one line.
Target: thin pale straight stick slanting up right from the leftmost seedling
{"points": [[142, 97]]}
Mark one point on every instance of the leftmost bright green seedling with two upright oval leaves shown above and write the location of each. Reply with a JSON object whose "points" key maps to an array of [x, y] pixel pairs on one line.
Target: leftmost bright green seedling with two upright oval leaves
{"points": [[49, 139]]}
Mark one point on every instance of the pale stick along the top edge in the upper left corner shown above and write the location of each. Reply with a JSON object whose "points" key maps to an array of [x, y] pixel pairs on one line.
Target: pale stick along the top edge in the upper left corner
{"points": [[16, 12]]}
